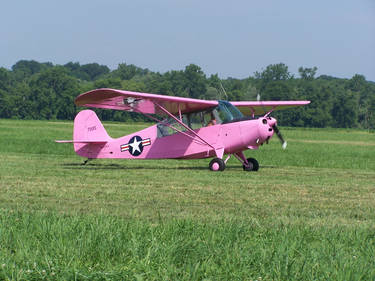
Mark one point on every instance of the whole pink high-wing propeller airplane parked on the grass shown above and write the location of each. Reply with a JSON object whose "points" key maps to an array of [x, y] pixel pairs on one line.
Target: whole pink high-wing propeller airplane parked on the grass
{"points": [[189, 128]]}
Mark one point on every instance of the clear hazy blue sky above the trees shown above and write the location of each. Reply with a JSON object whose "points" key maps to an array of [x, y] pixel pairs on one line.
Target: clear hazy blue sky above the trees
{"points": [[232, 38]]}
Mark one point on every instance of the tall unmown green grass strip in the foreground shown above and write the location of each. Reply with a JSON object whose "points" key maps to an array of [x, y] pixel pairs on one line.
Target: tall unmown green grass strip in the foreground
{"points": [[54, 246]]}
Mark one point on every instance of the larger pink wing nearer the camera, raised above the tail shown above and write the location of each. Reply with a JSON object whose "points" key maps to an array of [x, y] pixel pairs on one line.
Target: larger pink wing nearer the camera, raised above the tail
{"points": [[141, 102]]}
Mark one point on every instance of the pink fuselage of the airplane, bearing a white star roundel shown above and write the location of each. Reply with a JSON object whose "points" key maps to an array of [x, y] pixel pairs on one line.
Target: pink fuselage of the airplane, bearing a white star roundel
{"points": [[146, 144]]}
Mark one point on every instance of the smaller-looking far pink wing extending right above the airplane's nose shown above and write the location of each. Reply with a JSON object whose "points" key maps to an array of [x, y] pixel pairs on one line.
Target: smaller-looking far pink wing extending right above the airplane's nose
{"points": [[262, 107]]}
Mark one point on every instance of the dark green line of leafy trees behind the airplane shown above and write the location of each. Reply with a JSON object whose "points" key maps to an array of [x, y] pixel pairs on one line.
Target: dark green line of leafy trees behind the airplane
{"points": [[34, 90]]}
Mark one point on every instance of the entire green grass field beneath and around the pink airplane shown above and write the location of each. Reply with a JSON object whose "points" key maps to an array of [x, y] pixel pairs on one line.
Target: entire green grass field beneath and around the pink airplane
{"points": [[308, 214]]}
